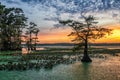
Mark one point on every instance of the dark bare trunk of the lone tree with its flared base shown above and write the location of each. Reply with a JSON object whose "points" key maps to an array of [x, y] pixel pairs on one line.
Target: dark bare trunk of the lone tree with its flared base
{"points": [[86, 57]]}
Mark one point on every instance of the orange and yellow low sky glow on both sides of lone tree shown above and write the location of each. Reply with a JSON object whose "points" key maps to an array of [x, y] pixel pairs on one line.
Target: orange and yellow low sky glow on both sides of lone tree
{"points": [[60, 36]]}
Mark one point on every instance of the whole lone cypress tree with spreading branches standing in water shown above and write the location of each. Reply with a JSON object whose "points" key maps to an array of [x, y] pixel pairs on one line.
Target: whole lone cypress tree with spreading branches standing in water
{"points": [[84, 32]]}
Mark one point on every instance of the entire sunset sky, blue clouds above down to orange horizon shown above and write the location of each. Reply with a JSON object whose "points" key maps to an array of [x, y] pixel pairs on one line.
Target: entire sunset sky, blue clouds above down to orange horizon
{"points": [[46, 13]]}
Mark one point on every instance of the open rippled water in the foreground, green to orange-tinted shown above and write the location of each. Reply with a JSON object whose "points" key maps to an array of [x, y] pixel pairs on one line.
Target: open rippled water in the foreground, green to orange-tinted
{"points": [[99, 69]]}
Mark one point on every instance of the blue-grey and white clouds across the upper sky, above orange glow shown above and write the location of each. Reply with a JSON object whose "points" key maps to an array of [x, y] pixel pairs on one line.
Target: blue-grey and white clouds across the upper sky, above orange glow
{"points": [[46, 13]]}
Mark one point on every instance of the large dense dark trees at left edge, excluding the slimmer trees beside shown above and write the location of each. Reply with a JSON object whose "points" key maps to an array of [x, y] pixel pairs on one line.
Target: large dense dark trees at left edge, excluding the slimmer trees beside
{"points": [[12, 22]]}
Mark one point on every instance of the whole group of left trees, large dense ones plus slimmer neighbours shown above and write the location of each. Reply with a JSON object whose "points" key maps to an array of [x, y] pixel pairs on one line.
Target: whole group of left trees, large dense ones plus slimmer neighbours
{"points": [[13, 25]]}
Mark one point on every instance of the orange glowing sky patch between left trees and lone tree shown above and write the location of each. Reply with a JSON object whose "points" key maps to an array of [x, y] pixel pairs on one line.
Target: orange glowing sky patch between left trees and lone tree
{"points": [[55, 36]]}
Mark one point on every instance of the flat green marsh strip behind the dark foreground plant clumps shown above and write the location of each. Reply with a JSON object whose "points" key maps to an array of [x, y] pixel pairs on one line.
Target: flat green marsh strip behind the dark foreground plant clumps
{"points": [[17, 56]]}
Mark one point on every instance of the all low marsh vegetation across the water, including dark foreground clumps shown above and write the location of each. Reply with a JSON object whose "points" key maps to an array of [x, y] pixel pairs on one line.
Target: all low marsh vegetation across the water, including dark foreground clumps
{"points": [[50, 57]]}
